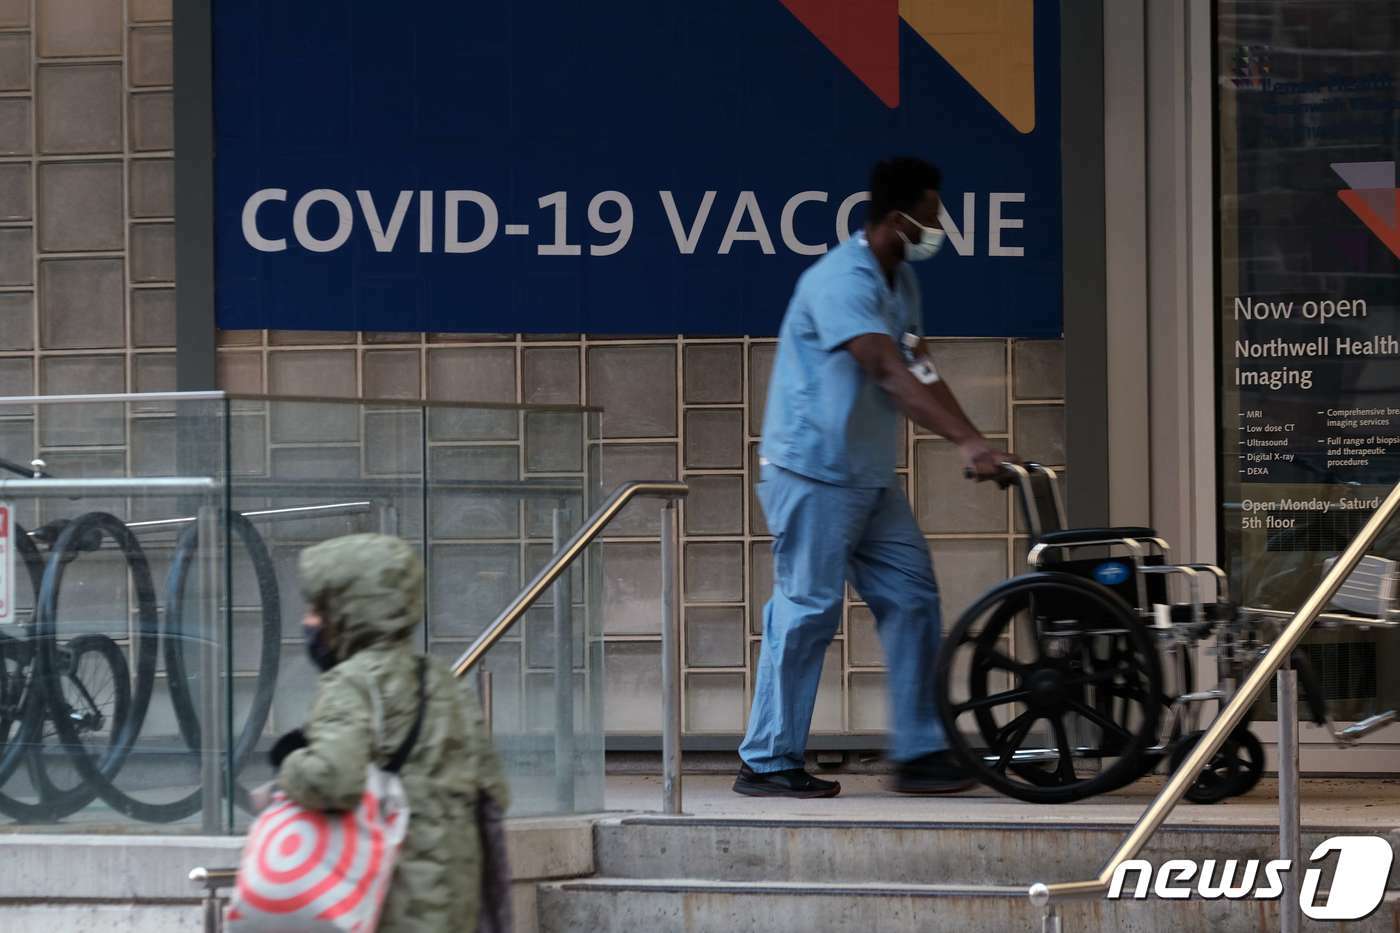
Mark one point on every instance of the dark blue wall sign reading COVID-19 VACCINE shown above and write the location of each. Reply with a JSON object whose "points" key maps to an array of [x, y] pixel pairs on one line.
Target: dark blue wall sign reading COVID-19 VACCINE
{"points": [[566, 167]]}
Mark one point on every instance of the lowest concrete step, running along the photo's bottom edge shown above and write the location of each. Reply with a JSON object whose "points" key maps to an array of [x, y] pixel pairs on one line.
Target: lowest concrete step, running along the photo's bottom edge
{"points": [[632, 906]]}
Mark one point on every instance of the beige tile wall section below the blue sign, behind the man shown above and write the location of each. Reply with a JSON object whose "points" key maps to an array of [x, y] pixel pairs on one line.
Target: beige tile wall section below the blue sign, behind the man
{"points": [[692, 408]]}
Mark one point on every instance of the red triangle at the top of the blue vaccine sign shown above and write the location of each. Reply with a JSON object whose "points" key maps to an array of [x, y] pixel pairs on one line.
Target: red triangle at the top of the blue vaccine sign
{"points": [[863, 34]]}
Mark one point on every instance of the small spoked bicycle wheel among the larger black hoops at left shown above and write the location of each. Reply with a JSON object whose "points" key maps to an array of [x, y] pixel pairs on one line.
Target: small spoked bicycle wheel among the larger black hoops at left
{"points": [[94, 697]]}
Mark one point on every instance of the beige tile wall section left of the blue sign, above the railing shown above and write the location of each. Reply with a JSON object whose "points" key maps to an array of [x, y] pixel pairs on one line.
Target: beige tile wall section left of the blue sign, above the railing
{"points": [[87, 260]]}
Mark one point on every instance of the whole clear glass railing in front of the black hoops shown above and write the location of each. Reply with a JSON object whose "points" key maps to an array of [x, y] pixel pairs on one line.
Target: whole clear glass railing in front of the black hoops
{"points": [[152, 652]]}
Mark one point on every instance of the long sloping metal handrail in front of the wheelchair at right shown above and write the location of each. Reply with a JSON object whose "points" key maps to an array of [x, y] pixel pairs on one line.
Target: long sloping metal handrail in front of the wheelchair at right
{"points": [[1234, 712]]}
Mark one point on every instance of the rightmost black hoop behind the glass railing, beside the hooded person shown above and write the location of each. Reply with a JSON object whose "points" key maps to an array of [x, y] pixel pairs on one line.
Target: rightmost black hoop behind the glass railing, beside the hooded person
{"points": [[176, 638]]}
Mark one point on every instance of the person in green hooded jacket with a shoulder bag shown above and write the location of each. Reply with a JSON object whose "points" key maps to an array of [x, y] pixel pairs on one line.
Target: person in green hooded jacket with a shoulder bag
{"points": [[365, 606]]}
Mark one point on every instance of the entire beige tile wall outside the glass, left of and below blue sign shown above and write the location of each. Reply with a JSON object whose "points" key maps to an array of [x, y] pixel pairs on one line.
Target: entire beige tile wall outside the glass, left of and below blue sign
{"points": [[87, 305]]}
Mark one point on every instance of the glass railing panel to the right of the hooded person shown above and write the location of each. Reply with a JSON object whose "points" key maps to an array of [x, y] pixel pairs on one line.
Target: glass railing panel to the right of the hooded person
{"points": [[502, 501]]}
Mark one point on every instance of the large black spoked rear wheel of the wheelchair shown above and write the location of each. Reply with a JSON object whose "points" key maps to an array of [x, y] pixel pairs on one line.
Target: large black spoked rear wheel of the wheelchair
{"points": [[1063, 689]]}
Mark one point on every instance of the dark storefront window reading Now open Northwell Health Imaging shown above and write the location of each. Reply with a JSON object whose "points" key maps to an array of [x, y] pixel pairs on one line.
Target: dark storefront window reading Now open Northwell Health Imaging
{"points": [[1310, 282]]}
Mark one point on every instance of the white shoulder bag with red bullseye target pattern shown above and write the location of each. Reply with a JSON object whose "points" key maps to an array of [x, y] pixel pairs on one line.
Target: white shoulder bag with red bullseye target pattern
{"points": [[306, 871]]}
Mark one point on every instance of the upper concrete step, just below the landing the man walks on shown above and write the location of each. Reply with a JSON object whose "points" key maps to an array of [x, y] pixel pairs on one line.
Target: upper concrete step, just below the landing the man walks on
{"points": [[860, 852]]}
